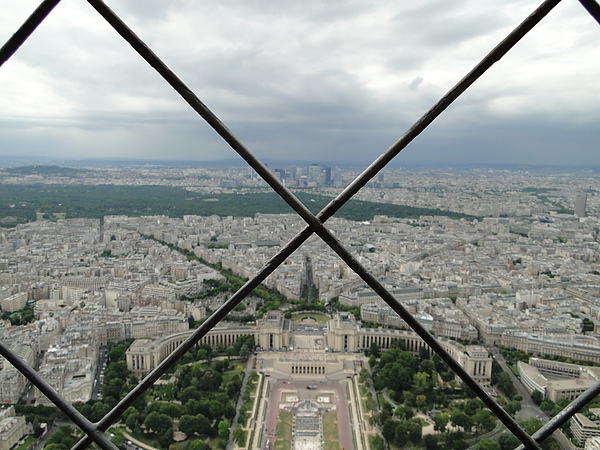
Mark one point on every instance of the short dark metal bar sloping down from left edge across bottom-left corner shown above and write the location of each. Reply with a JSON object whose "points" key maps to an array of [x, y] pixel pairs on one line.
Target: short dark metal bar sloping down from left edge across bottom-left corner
{"points": [[77, 418]]}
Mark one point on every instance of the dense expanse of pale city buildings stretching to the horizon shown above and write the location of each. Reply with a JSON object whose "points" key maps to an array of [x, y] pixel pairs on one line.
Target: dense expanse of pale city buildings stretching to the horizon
{"points": [[520, 275]]}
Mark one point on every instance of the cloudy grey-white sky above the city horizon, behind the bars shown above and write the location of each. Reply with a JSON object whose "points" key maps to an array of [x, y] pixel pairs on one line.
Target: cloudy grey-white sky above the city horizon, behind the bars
{"points": [[314, 81]]}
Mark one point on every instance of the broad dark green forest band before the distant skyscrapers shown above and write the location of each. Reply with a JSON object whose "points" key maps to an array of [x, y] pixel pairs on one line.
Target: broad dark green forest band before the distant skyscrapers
{"points": [[22, 203]]}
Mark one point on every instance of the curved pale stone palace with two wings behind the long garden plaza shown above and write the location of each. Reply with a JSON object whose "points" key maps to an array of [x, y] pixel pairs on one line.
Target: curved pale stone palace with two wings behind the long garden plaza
{"points": [[287, 350]]}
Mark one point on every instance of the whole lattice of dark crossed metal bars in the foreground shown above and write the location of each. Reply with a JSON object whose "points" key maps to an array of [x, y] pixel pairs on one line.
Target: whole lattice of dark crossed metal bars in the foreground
{"points": [[315, 225]]}
